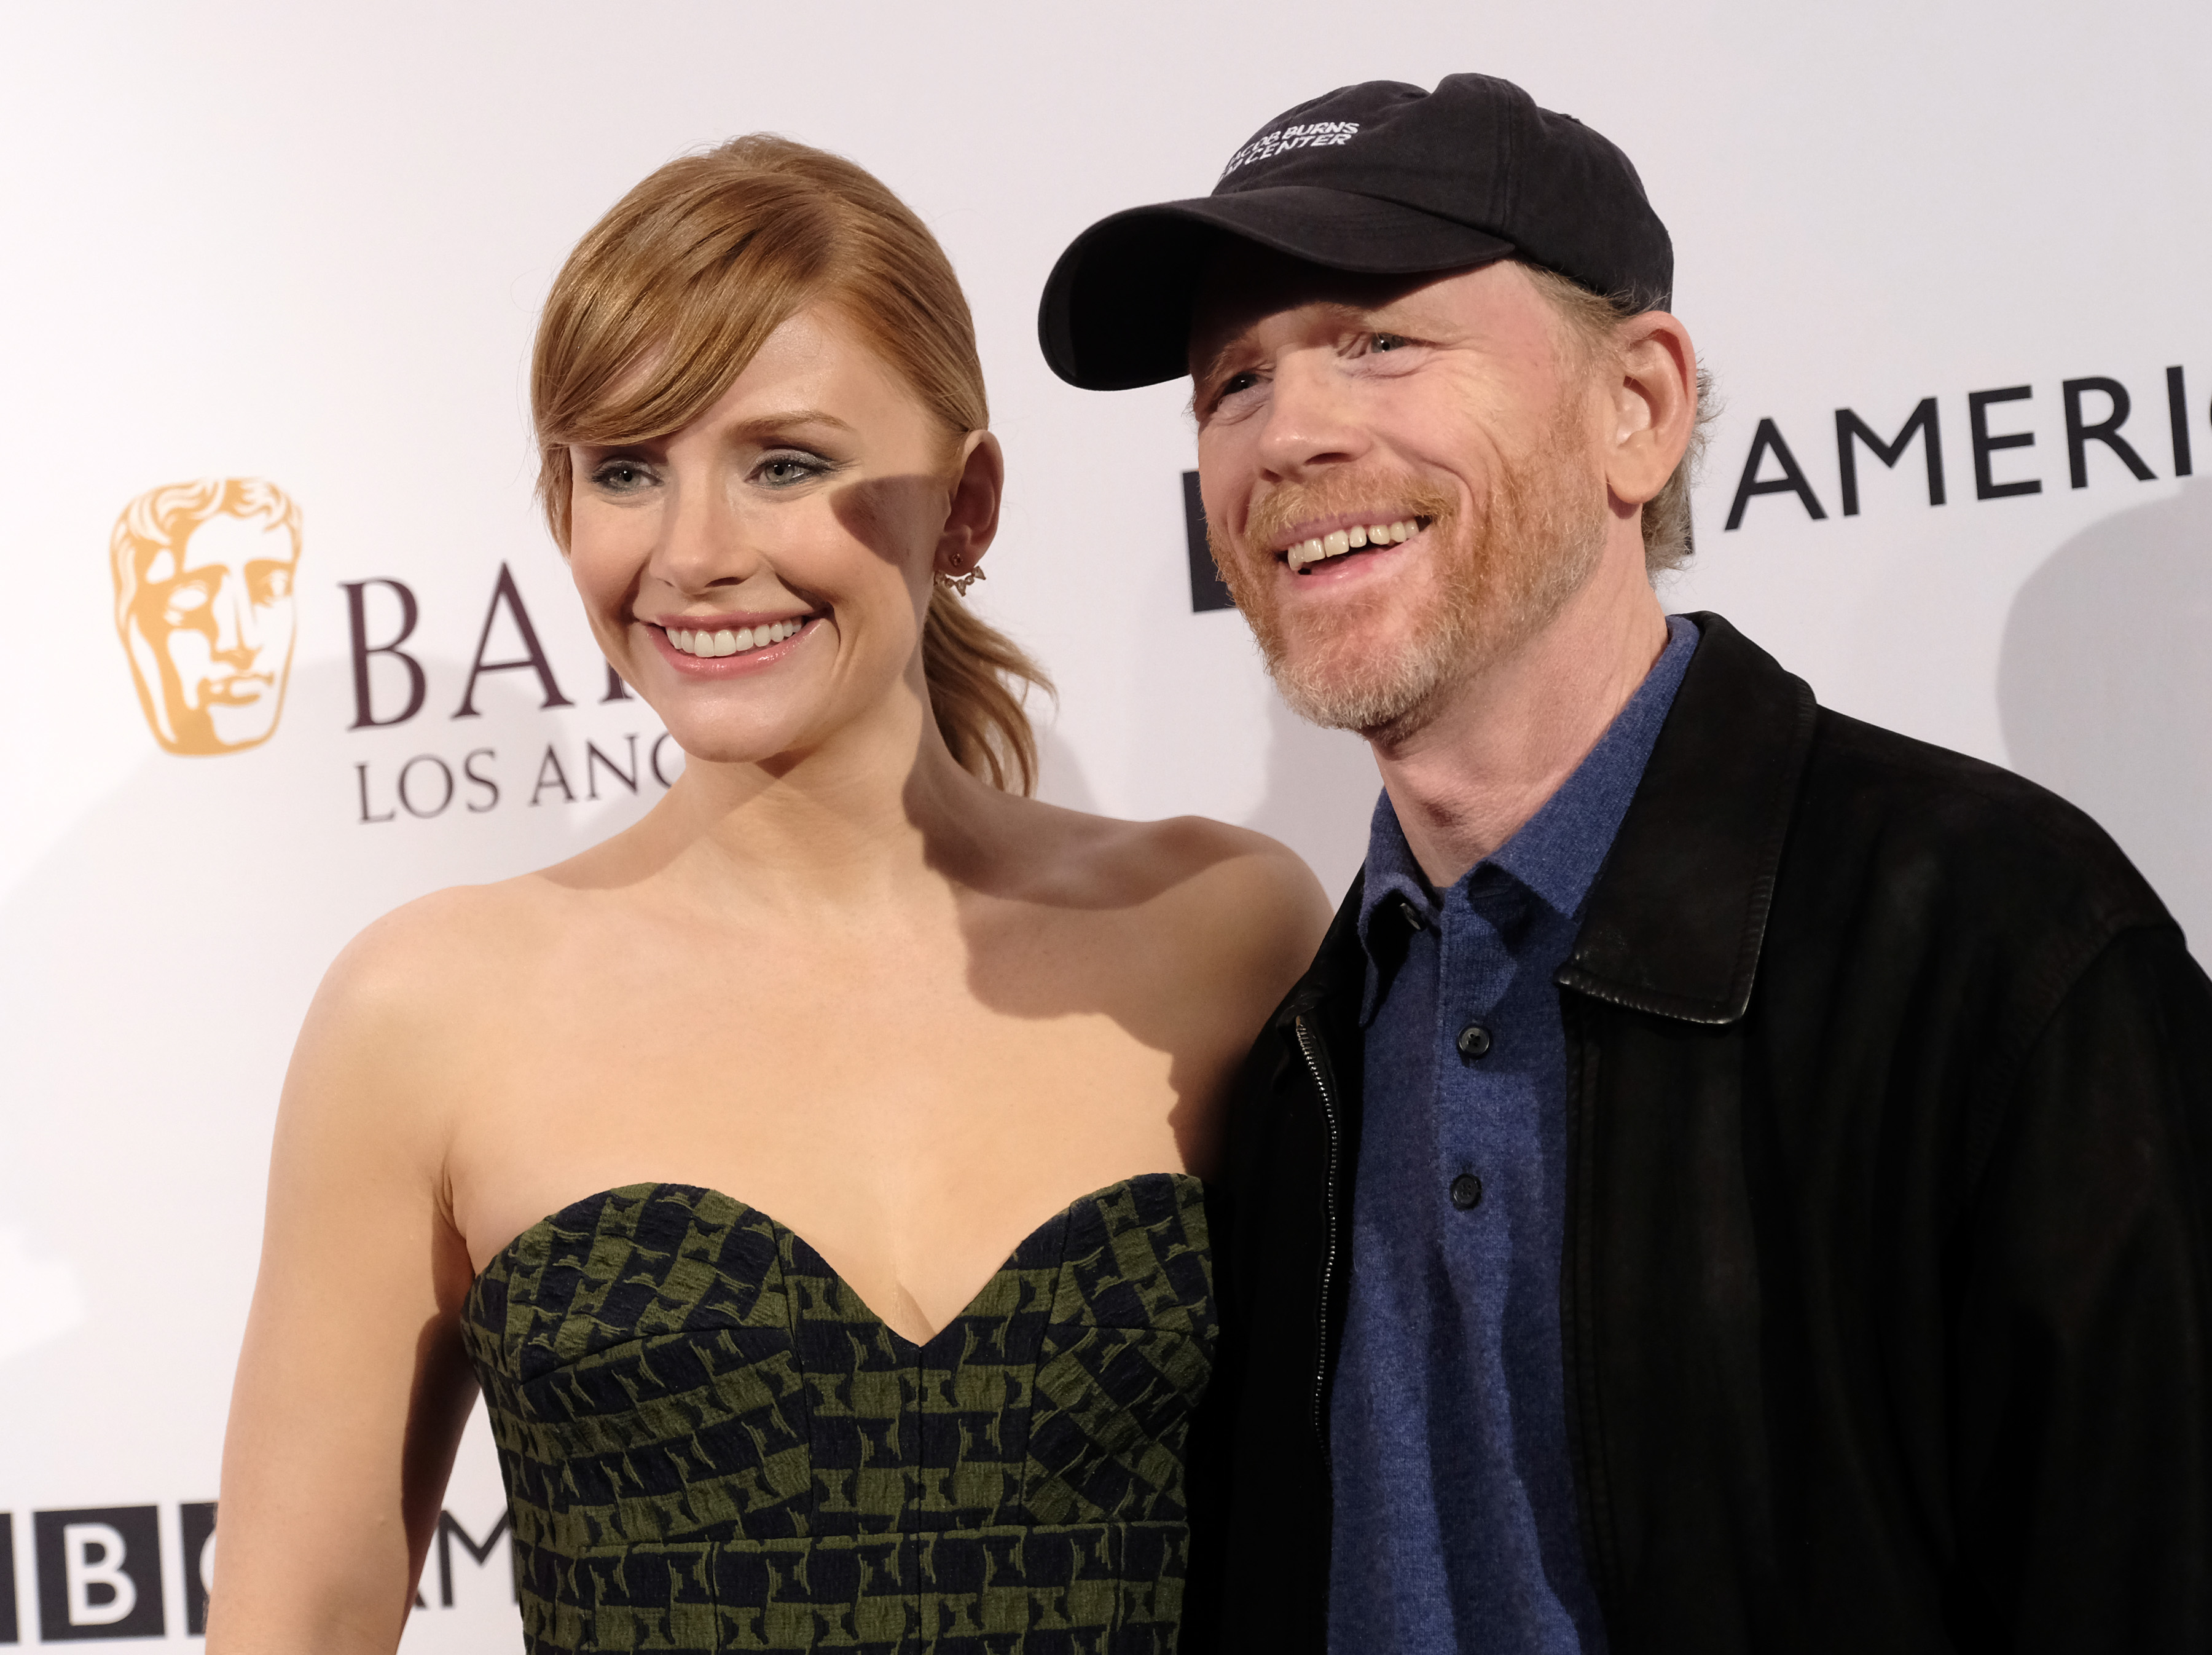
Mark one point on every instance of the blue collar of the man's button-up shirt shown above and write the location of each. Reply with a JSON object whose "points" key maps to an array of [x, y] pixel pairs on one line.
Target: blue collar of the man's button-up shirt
{"points": [[1558, 851]]}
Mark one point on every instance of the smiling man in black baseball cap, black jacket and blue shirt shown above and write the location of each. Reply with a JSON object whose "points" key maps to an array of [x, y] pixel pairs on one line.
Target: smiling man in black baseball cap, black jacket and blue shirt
{"points": [[1733, 1178]]}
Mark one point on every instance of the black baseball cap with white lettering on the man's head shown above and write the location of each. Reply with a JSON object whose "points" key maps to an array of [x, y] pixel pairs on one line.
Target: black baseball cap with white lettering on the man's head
{"points": [[1381, 178]]}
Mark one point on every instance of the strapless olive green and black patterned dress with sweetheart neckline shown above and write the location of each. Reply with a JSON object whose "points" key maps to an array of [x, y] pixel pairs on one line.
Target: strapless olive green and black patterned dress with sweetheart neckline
{"points": [[713, 1444]]}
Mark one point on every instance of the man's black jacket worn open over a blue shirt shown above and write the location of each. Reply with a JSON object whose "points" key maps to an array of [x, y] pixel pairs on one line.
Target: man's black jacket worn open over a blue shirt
{"points": [[1888, 1295]]}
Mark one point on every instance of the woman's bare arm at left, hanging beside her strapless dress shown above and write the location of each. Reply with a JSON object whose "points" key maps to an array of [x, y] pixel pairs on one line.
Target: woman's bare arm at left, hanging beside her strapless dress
{"points": [[353, 1388]]}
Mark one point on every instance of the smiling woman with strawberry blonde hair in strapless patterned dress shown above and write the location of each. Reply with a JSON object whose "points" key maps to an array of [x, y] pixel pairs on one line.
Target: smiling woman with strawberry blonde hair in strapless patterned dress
{"points": [[811, 1176]]}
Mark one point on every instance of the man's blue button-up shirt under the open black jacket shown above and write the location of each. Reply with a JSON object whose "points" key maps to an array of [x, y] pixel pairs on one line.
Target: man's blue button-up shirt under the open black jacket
{"points": [[1457, 1521]]}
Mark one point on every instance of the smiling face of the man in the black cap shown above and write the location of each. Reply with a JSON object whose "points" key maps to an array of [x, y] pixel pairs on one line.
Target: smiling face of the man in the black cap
{"points": [[1452, 413]]}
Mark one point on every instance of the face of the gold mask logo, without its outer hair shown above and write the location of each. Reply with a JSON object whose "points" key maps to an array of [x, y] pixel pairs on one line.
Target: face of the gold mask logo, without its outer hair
{"points": [[218, 623]]}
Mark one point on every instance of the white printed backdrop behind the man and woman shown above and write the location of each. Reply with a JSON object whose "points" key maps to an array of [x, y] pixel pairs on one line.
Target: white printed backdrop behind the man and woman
{"points": [[300, 244]]}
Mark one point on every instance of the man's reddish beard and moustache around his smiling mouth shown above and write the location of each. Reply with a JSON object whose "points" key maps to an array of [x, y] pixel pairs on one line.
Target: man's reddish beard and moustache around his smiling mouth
{"points": [[1384, 665]]}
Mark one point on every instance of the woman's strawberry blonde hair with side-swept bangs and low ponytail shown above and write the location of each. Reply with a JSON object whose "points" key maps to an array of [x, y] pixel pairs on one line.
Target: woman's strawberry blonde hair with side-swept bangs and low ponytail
{"points": [[669, 298]]}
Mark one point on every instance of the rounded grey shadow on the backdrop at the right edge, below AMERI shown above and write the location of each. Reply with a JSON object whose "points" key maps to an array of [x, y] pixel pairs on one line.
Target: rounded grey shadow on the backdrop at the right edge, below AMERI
{"points": [[2107, 680]]}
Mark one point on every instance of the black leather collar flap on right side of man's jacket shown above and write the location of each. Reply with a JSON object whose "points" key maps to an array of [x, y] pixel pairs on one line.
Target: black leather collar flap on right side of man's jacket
{"points": [[1680, 910]]}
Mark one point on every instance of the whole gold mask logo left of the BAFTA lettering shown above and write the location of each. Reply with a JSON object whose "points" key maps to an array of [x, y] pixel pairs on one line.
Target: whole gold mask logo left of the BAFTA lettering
{"points": [[205, 610]]}
